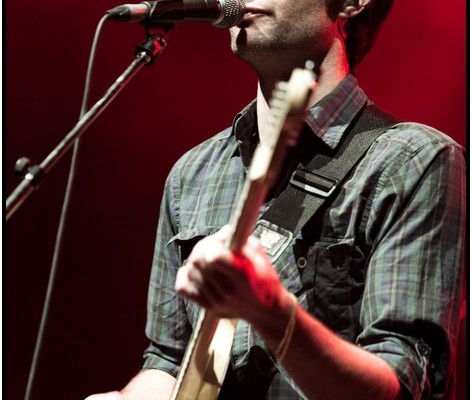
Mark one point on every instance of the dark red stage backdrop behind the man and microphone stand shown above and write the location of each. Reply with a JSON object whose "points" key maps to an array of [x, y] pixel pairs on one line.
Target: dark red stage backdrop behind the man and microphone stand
{"points": [[94, 339]]}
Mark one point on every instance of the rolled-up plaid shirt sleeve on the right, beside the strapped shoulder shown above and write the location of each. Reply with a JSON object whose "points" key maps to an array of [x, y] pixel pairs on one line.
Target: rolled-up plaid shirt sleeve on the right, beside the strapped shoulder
{"points": [[411, 306]]}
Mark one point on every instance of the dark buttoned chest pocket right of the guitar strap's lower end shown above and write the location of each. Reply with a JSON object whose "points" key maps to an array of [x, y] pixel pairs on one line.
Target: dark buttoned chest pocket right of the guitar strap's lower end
{"points": [[332, 273]]}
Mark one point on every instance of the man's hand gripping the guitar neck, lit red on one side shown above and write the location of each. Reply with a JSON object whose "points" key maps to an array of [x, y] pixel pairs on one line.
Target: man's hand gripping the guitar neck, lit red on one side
{"points": [[241, 285]]}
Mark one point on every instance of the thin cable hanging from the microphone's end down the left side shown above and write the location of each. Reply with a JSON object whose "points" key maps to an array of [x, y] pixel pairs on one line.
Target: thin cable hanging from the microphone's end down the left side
{"points": [[62, 220]]}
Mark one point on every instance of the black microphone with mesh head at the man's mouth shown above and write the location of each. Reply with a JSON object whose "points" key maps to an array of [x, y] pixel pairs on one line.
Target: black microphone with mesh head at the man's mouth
{"points": [[220, 13]]}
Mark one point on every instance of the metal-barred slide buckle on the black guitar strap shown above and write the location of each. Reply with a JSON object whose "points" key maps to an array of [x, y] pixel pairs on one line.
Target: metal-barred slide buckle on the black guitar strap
{"points": [[314, 182]]}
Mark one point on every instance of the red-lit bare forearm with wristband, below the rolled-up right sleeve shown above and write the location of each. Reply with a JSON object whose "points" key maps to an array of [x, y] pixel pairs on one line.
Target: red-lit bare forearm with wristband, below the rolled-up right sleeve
{"points": [[325, 366]]}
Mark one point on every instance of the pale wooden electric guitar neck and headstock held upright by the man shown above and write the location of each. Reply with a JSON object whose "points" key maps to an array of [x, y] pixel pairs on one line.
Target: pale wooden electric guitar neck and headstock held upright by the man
{"points": [[207, 356]]}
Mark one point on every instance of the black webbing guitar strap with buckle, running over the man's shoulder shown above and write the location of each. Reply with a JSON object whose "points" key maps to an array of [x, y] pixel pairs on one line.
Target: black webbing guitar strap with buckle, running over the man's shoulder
{"points": [[318, 182]]}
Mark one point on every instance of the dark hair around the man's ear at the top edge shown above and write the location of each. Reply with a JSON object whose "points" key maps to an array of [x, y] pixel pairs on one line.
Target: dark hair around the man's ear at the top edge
{"points": [[360, 31]]}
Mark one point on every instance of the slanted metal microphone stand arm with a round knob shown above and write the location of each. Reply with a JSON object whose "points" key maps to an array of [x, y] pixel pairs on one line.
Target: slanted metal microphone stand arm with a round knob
{"points": [[146, 53]]}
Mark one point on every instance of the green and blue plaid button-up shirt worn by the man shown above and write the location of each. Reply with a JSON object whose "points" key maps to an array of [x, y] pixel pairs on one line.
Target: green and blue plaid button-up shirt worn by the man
{"points": [[384, 270]]}
